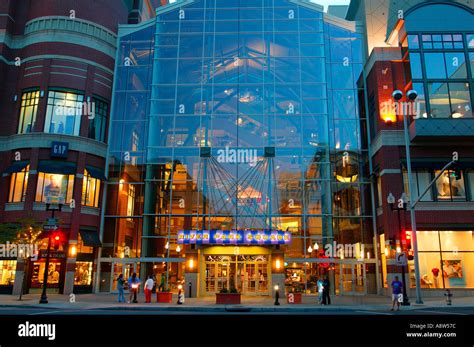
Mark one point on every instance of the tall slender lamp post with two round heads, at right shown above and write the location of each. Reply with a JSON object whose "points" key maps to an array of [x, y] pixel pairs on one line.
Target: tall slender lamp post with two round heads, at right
{"points": [[412, 95]]}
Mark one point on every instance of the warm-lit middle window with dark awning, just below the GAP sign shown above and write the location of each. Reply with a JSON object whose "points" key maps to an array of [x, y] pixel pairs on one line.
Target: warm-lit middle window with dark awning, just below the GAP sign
{"points": [[54, 188]]}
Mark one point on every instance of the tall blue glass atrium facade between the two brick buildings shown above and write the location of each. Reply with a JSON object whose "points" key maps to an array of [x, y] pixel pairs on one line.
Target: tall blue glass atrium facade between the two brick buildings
{"points": [[238, 115]]}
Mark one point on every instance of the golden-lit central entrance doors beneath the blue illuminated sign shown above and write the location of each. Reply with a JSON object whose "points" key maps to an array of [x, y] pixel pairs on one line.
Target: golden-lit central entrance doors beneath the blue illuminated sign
{"points": [[246, 273]]}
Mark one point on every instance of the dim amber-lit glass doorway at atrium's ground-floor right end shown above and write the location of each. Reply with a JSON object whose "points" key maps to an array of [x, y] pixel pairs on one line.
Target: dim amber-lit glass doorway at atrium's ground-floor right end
{"points": [[351, 278]]}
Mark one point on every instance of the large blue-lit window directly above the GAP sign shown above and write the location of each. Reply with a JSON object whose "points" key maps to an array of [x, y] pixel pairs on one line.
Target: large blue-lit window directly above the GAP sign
{"points": [[64, 112]]}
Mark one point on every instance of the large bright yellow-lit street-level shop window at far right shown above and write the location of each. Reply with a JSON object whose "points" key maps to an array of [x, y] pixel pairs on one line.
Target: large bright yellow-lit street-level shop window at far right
{"points": [[446, 258]]}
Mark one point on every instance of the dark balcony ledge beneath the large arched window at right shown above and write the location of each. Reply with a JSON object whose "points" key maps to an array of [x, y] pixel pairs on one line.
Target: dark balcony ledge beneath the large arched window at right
{"points": [[442, 129]]}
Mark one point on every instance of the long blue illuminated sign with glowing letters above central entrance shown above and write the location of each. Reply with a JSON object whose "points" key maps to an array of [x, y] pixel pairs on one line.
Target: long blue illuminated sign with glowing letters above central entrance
{"points": [[234, 237]]}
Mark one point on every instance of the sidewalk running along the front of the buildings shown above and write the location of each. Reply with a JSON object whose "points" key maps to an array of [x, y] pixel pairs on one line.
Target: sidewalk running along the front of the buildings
{"points": [[249, 304]]}
